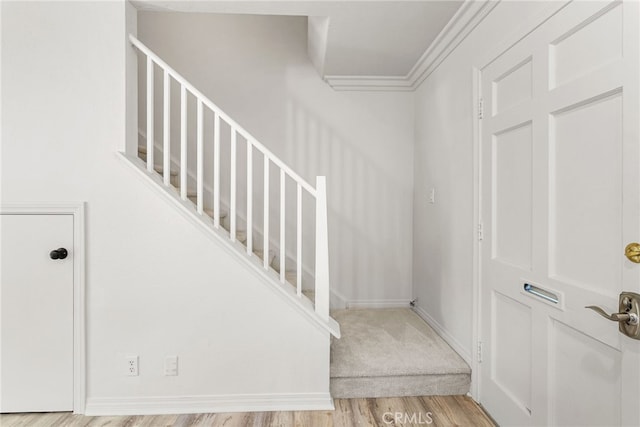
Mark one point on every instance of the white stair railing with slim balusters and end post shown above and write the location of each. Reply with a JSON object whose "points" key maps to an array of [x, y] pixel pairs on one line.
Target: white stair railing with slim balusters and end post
{"points": [[318, 193]]}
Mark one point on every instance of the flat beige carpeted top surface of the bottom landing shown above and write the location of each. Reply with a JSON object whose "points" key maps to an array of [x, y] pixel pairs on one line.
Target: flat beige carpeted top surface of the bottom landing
{"points": [[390, 342]]}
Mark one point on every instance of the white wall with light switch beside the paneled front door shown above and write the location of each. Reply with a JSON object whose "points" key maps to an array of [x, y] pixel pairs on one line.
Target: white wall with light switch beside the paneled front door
{"points": [[444, 232]]}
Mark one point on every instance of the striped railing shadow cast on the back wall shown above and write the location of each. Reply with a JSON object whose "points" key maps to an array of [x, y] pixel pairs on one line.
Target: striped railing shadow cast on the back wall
{"points": [[365, 220]]}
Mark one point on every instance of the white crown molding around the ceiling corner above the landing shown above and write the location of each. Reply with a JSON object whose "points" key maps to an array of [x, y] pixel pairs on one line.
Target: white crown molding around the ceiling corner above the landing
{"points": [[466, 19]]}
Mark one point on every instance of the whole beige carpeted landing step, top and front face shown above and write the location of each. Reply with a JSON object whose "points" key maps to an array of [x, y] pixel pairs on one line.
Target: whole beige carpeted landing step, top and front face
{"points": [[392, 352]]}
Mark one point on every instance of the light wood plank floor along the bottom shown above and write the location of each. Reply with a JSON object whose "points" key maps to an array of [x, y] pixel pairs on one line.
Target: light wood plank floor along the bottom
{"points": [[399, 411]]}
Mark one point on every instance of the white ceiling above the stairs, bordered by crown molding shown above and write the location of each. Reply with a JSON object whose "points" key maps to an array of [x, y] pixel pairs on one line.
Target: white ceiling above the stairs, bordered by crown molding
{"points": [[359, 38]]}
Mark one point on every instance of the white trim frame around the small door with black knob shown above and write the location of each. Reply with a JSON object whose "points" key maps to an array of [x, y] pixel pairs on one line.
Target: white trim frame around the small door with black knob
{"points": [[79, 345]]}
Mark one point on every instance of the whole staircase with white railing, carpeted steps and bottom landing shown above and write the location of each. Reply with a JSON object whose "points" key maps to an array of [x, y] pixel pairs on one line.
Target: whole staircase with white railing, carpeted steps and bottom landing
{"points": [[223, 178]]}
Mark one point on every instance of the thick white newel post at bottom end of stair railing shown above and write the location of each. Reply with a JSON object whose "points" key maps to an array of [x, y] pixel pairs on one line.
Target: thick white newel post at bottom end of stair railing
{"points": [[322, 250]]}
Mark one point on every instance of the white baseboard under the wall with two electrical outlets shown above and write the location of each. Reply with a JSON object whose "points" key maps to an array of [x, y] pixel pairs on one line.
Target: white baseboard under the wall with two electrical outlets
{"points": [[160, 405]]}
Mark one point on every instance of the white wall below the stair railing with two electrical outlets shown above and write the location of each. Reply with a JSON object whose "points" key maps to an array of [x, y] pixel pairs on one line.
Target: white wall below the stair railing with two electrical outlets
{"points": [[155, 285]]}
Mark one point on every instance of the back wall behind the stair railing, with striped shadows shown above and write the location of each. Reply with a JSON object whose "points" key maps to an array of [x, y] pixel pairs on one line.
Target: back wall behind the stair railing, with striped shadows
{"points": [[257, 70]]}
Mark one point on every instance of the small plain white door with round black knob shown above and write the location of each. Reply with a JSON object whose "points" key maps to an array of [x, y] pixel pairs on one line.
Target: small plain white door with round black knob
{"points": [[36, 303]]}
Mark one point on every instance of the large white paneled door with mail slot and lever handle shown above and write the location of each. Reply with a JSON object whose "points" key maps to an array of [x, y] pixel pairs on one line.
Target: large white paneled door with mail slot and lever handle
{"points": [[560, 187]]}
